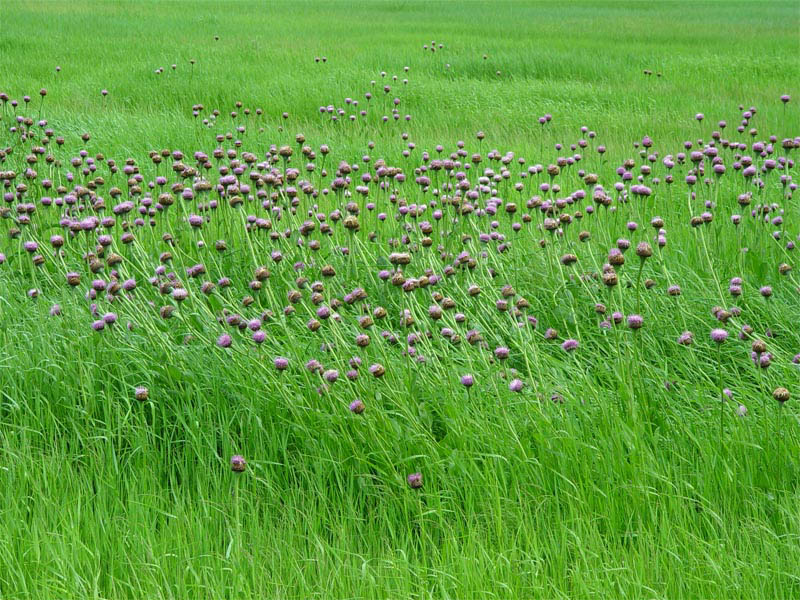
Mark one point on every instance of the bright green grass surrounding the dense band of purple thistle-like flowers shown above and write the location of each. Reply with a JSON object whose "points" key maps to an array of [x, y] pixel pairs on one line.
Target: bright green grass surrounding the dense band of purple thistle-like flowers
{"points": [[103, 497]]}
